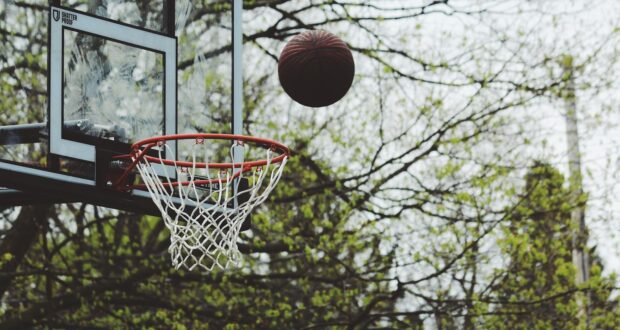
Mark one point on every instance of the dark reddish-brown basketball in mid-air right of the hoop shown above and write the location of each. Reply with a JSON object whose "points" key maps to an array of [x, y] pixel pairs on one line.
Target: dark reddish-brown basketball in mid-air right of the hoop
{"points": [[316, 68]]}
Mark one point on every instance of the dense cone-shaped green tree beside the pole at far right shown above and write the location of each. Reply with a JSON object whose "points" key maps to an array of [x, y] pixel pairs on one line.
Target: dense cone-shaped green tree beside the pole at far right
{"points": [[538, 241]]}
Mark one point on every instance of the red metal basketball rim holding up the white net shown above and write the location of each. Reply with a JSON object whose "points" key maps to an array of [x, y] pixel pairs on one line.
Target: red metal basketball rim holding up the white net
{"points": [[139, 151]]}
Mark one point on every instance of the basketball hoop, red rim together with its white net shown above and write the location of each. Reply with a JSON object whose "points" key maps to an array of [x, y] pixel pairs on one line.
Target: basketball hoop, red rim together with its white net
{"points": [[204, 204]]}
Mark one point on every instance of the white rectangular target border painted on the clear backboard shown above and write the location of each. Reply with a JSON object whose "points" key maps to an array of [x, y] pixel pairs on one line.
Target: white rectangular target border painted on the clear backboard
{"points": [[62, 19]]}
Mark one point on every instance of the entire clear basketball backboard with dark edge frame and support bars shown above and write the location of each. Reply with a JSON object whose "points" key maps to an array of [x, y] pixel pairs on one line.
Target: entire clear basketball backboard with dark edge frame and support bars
{"points": [[80, 81]]}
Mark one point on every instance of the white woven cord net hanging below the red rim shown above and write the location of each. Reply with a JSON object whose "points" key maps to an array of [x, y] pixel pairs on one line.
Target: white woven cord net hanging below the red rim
{"points": [[205, 208]]}
